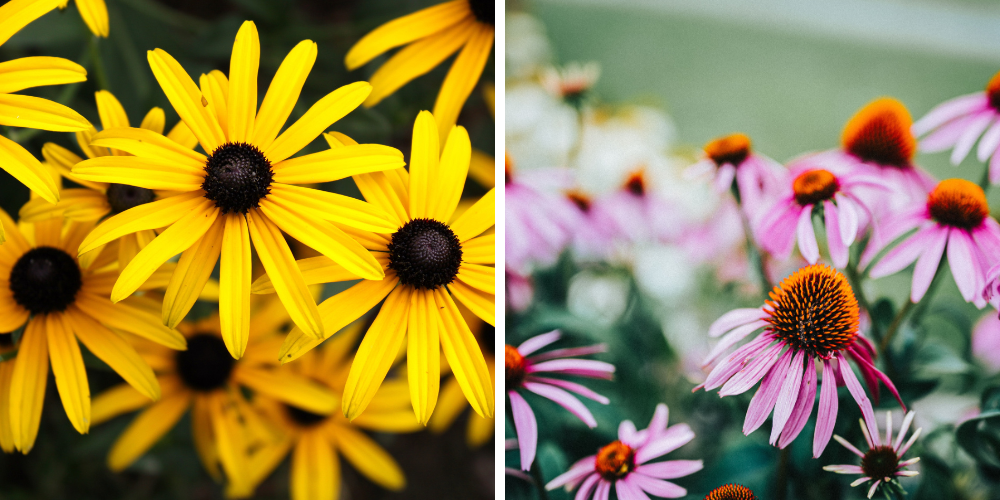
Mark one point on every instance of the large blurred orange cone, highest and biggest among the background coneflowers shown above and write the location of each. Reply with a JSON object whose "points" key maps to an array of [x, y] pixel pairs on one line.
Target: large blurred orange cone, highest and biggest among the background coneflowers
{"points": [[880, 133]]}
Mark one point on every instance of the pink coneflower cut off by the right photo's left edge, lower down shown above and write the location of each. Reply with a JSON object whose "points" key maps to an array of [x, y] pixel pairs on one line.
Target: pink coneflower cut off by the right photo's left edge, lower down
{"points": [[525, 372]]}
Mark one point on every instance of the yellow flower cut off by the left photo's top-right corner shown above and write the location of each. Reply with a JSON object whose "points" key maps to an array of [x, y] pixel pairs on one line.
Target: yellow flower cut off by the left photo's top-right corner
{"points": [[431, 35]]}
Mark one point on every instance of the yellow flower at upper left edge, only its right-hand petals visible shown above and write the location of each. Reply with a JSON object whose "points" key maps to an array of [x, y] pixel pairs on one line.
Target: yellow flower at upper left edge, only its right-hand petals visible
{"points": [[29, 111]]}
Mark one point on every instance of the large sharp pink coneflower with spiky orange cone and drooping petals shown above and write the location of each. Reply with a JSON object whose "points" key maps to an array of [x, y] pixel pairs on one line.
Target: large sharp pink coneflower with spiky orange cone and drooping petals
{"points": [[812, 317]]}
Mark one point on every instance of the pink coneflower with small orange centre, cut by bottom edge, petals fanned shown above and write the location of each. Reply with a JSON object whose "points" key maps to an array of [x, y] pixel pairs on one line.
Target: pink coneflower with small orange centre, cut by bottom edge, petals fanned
{"points": [[626, 466]]}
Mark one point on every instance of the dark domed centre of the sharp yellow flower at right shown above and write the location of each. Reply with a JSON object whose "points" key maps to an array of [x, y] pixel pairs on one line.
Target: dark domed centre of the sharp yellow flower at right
{"points": [[425, 253]]}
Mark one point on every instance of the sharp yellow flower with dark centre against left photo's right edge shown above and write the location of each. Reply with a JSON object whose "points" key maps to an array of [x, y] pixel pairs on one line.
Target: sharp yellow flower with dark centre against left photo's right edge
{"points": [[428, 264]]}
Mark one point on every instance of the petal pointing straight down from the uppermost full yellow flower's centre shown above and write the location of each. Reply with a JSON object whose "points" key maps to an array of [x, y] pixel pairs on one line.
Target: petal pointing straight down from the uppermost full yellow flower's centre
{"points": [[234, 281]]}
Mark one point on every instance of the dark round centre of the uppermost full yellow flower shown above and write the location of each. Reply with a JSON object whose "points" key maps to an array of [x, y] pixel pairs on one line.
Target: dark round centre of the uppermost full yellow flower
{"points": [[237, 176]]}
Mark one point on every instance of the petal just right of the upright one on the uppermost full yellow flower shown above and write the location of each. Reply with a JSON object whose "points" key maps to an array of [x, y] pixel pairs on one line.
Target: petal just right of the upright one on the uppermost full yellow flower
{"points": [[283, 93]]}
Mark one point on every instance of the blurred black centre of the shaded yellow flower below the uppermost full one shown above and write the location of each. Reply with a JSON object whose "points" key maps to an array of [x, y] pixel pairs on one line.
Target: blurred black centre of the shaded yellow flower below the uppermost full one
{"points": [[206, 364]]}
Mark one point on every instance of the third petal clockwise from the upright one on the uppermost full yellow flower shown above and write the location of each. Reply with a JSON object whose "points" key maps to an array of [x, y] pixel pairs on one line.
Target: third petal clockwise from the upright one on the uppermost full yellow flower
{"points": [[321, 115]]}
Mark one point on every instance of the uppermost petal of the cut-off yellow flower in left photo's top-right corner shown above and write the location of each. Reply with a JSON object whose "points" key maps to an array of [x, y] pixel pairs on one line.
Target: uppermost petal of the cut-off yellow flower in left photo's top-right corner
{"points": [[405, 30]]}
